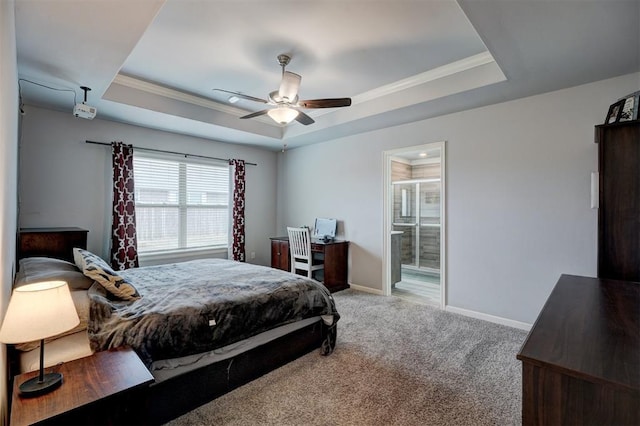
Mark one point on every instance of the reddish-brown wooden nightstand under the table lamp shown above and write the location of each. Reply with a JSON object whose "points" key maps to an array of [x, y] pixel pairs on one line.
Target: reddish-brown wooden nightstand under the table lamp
{"points": [[105, 388]]}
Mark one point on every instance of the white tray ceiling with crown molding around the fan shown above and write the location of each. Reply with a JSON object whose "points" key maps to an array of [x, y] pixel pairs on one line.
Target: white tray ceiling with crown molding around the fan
{"points": [[154, 63]]}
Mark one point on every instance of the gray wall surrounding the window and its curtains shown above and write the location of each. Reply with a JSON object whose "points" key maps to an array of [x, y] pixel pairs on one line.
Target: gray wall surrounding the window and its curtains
{"points": [[66, 182]]}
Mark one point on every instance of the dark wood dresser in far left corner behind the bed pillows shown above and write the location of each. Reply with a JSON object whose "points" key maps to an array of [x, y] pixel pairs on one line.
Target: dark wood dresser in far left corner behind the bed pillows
{"points": [[51, 242]]}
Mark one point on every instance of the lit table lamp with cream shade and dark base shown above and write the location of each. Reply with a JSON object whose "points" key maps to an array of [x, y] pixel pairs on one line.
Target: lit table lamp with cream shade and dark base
{"points": [[37, 311]]}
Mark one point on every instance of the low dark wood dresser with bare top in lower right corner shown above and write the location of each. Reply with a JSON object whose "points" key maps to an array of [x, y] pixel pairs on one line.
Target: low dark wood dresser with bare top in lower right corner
{"points": [[581, 360]]}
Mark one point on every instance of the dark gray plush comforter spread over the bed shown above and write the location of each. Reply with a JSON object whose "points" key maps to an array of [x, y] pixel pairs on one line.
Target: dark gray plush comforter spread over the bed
{"points": [[197, 306]]}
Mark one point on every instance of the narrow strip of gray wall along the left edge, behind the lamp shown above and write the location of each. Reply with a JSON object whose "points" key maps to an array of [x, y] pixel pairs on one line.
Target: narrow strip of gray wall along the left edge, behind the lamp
{"points": [[8, 173]]}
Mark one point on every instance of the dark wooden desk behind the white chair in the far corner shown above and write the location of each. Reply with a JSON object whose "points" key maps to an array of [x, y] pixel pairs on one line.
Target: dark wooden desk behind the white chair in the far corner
{"points": [[336, 258]]}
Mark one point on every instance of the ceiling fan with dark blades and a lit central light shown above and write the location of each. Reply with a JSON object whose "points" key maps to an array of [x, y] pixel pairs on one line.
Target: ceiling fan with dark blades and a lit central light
{"points": [[285, 99]]}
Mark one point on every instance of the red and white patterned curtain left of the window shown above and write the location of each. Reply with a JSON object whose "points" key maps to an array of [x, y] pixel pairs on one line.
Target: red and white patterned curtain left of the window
{"points": [[124, 245]]}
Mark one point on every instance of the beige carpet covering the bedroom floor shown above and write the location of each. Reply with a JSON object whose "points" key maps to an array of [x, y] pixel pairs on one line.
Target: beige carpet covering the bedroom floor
{"points": [[396, 363]]}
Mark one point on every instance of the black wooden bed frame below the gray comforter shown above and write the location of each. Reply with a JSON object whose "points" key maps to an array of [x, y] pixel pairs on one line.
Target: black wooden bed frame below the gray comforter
{"points": [[173, 397]]}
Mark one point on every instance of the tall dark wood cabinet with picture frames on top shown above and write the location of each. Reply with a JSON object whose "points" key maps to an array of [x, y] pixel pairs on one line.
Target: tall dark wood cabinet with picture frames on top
{"points": [[619, 202]]}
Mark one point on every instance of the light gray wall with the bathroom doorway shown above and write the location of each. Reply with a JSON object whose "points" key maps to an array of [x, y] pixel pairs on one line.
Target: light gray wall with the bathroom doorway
{"points": [[517, 202]]}
